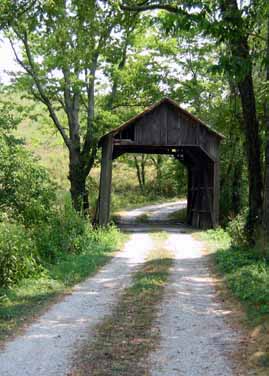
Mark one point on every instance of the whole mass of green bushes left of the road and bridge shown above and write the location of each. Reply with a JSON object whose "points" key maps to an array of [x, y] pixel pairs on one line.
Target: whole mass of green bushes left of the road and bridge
{"points": [[36, 230]]}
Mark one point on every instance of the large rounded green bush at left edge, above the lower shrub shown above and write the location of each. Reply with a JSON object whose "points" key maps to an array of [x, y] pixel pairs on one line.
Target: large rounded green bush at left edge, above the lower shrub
{"points": [[26, 192]]}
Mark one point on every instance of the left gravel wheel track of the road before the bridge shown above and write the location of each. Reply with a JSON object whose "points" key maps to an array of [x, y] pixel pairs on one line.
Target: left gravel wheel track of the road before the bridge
{"points": [[47, 346]]}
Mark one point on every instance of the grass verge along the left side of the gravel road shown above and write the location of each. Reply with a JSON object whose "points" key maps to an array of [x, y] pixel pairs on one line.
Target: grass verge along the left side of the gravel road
{"points": [[23, 302]]}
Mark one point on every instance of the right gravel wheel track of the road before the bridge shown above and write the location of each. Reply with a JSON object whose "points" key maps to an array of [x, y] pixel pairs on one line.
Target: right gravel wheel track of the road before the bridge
{"points": [[195, 338]]}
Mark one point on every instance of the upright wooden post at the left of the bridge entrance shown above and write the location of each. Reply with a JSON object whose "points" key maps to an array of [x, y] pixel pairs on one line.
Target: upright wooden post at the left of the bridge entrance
{"points": [[105, 182]]}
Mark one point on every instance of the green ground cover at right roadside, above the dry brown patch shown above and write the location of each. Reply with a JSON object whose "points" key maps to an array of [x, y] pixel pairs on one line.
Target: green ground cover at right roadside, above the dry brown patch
{"points": [[246, 272]]}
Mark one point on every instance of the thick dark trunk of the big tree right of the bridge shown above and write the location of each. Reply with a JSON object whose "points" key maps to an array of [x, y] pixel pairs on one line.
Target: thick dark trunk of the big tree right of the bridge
{"points": [[237, 40]]}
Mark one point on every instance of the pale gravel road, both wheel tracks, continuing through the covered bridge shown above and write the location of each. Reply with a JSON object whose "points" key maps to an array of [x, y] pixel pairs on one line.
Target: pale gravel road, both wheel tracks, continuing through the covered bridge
{"points": [[195, 338]]}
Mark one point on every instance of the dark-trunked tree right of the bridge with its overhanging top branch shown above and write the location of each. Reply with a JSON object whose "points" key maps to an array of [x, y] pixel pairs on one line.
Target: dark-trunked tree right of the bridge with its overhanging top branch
{"points": [[231, 29]]}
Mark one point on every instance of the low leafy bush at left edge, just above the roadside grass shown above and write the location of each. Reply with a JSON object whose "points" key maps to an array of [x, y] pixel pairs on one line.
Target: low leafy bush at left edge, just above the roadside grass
{"points": [[17, 254]]}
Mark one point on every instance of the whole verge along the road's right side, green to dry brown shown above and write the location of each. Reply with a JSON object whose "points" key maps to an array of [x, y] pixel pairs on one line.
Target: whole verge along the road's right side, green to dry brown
{"points": [[245, 274]]}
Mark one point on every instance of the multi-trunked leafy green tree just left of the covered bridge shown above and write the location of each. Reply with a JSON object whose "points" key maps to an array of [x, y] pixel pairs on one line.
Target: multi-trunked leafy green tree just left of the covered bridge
{"points": [[62, 48]]}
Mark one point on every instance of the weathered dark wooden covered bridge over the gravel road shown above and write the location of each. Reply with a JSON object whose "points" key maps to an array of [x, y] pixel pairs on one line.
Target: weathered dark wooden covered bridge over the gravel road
{"points": [[166, 128]]}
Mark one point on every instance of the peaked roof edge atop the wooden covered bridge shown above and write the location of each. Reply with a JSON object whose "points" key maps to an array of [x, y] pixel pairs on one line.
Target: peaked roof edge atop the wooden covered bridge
{"points": [[151, 108]]}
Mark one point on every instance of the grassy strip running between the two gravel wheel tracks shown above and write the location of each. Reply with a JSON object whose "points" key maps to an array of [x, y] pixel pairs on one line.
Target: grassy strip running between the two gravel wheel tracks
{"points": [[124, 340]]}
